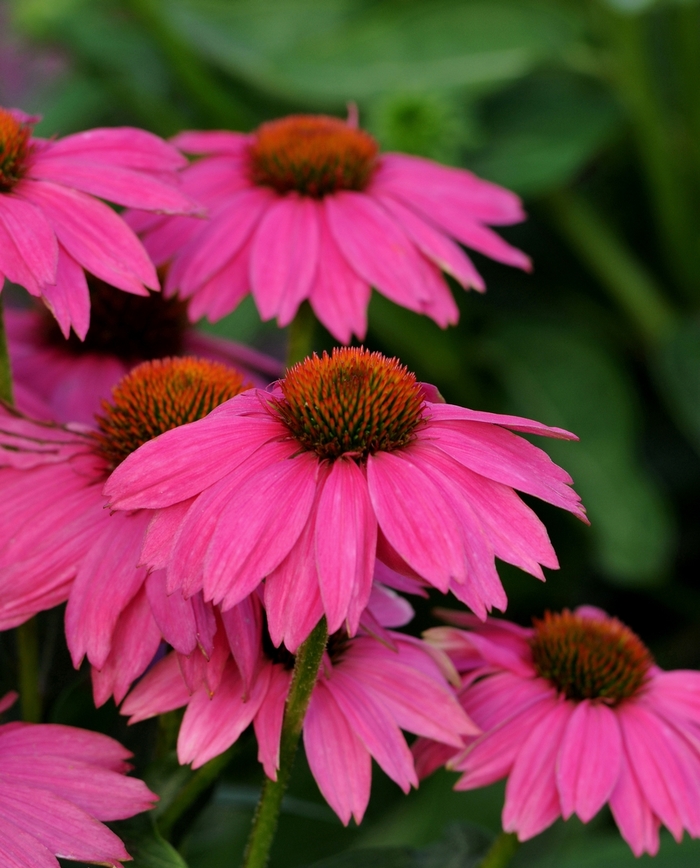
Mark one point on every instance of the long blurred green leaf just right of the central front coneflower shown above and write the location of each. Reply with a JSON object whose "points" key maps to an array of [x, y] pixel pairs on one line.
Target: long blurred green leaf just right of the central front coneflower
{"points": [[564, 377]]}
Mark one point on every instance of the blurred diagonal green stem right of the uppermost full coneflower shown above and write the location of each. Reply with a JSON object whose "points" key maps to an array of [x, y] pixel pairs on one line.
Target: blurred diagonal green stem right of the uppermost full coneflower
{"points": [[626, 279]]}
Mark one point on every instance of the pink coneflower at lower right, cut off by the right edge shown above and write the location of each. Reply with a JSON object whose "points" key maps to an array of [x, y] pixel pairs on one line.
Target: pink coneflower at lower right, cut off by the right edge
{"points": [[575, 714]]}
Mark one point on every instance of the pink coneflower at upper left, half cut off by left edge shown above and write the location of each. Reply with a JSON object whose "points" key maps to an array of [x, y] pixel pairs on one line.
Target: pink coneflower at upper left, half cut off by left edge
{"points": [[53, 229]]}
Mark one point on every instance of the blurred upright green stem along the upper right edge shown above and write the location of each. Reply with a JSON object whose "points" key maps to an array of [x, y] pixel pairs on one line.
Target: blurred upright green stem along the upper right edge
{"points": [[638, 83]]}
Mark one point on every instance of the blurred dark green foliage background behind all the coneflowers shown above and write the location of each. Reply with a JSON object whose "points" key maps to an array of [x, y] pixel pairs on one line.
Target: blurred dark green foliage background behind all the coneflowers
{"points": [[590, 111]]}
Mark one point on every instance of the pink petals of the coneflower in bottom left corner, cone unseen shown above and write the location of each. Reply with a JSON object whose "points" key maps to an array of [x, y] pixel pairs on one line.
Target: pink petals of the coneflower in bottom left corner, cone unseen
{"points": [[57, 784]]}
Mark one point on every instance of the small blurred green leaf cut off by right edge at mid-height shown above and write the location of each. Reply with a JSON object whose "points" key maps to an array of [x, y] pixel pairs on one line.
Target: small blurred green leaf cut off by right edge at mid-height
{"points": [[678, 373]]}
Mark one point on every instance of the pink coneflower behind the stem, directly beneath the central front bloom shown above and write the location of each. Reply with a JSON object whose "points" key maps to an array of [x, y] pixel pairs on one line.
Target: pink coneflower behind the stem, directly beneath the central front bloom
{"points": [[367, 692]]}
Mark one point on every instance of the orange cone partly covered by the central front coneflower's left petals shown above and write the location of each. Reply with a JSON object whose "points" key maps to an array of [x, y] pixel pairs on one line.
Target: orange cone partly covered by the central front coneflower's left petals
{"points": [[159, 395]]}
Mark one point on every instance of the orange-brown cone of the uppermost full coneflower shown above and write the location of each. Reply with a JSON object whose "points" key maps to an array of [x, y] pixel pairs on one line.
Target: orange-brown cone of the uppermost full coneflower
{"points": [[313, 155]]}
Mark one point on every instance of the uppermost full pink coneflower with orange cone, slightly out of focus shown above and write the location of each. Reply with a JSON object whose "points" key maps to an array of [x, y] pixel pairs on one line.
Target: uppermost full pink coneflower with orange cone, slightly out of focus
{"points": [[307, 208]]}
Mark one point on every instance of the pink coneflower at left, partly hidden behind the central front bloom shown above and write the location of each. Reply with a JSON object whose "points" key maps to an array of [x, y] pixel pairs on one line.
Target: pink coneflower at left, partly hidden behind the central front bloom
{"points": [[59, 542]]}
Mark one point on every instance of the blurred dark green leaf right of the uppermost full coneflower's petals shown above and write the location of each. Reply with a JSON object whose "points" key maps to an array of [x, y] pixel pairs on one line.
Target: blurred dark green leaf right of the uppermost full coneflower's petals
{"points": [[544, 130]]}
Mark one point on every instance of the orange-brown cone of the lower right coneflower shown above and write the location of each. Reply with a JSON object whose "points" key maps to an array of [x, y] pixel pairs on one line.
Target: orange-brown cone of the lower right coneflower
{"points": [[586, 658]]}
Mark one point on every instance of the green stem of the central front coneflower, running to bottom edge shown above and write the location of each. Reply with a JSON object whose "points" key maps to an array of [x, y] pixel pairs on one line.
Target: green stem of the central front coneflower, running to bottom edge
{"points": [[264, 826]]}
